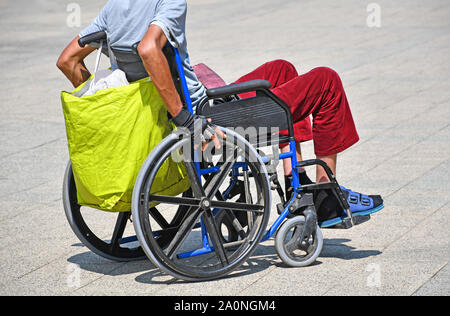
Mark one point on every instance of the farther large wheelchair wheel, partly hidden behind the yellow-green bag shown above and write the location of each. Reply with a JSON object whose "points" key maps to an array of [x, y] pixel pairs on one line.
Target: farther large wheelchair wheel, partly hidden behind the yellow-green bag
{"points": [[110, 244]]}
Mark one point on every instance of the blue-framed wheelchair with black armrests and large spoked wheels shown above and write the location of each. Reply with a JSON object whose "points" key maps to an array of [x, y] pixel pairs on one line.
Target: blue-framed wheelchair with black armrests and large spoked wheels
{"points": [[215, 226]]}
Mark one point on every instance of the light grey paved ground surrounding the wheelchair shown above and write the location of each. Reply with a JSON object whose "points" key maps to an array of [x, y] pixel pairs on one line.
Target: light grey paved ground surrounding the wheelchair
{"points": [[398, 84]]}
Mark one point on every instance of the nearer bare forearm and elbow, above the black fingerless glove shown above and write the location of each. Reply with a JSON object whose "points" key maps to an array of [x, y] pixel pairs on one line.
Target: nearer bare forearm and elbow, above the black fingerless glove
{"points": [[150, 50]]}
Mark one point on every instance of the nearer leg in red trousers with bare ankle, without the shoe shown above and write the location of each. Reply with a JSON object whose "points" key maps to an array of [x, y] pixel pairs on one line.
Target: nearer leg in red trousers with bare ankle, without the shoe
{"points": [[320, 93]]}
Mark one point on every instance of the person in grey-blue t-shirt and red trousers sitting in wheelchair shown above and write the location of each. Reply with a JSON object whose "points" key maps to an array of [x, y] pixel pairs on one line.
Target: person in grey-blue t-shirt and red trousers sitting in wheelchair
{"points": [[319, 92]]}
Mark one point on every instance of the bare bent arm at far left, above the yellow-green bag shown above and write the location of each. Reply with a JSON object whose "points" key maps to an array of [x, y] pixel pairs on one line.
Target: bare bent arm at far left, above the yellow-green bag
{"points": [[71, 62]]}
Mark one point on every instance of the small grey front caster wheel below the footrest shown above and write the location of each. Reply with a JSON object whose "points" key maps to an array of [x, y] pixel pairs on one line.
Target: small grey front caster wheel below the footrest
{"points": [[293, 251]]}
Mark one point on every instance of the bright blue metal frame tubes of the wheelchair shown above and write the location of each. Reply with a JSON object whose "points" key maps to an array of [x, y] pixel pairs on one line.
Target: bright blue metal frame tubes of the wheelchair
{"points": [[292, 154]]}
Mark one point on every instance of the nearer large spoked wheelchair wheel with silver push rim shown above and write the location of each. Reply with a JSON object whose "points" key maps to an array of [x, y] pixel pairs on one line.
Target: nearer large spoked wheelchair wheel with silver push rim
{"points": [[185, 257]]}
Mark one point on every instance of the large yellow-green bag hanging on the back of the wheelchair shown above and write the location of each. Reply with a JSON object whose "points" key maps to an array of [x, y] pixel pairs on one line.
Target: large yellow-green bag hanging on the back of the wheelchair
{"points": [[110, 134]]}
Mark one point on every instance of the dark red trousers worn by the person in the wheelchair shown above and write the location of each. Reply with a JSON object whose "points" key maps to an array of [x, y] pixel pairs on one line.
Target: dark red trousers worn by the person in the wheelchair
{"points": [[318, 92]]}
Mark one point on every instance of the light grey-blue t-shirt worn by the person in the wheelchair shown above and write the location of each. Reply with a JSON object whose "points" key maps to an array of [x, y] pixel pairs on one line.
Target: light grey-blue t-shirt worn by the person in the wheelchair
{"points": [[127, 21]]}
